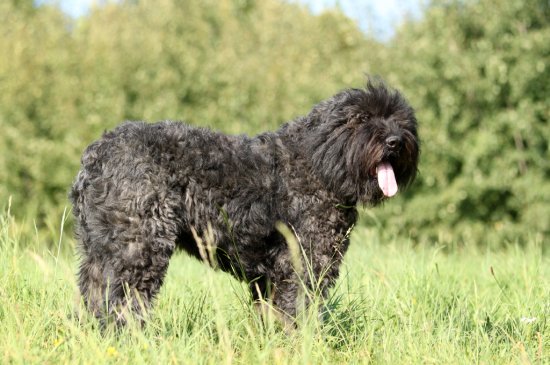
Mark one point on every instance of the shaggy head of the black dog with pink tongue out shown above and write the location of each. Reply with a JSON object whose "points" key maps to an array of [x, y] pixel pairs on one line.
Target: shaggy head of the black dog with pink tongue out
{"points": [[365, 143]]}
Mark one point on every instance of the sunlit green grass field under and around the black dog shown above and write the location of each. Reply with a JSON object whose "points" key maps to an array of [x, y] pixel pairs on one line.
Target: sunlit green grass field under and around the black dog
{"points": [[395, 303]]}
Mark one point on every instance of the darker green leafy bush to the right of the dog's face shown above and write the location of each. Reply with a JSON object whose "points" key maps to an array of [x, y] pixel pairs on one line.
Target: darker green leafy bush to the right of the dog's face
{"points": [[478, 74]]}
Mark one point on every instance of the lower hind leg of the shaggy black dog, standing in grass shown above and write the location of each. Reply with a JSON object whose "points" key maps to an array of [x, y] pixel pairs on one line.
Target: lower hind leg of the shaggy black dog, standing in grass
{"points": [[123, 269]]}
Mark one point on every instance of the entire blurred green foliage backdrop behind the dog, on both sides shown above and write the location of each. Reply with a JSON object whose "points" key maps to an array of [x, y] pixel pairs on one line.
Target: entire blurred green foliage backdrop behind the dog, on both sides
{"points": [[476, 71]]}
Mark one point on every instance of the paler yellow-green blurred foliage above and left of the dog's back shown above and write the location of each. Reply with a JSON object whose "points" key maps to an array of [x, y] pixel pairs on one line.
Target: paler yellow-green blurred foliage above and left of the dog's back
{"points": [[240, 67]]}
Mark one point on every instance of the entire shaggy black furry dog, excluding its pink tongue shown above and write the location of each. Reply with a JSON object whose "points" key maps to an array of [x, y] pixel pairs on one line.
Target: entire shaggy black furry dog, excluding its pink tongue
{"points": [[145, 189]]}
